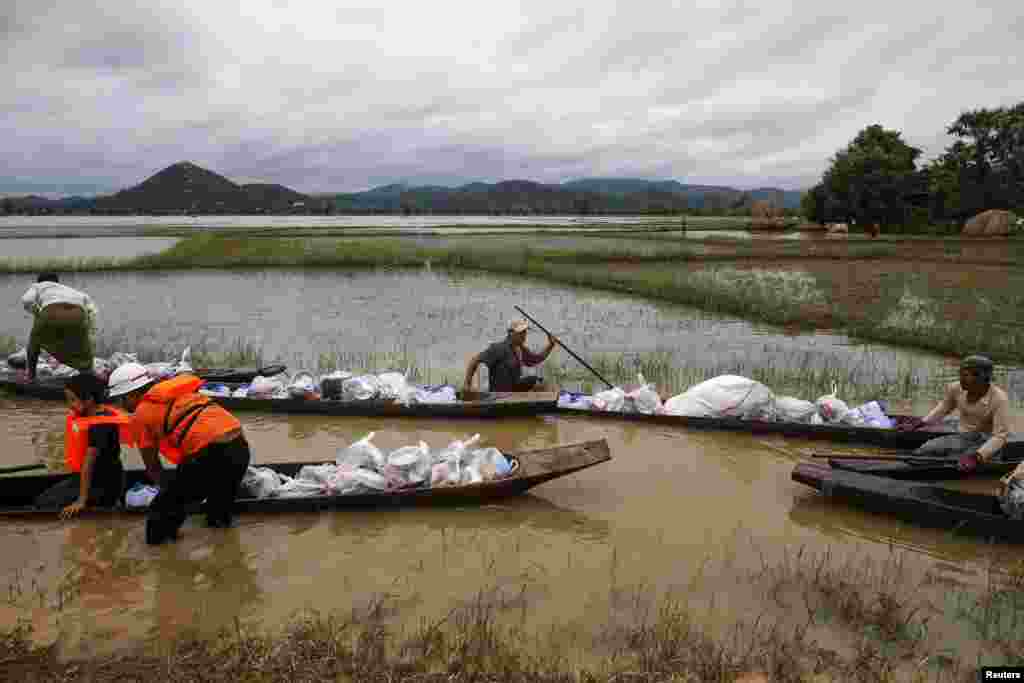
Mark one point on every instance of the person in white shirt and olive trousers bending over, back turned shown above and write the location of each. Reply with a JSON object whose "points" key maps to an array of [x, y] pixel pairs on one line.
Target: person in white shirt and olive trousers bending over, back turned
{"points": [[65, 324]]}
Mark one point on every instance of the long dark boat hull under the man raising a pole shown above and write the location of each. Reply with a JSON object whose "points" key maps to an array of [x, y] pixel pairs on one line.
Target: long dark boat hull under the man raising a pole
{"points": [[493, 405]]}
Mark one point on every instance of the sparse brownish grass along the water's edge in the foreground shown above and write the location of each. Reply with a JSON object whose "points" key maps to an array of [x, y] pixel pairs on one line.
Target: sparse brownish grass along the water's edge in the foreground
{"points": [[819, 621]]}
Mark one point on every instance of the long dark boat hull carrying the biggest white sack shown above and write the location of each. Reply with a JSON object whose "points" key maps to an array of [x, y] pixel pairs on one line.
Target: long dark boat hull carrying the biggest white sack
{"points": [[891, 439]]}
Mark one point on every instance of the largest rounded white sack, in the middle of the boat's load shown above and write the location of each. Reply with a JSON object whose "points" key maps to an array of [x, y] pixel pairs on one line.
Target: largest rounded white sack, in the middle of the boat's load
{"points": [[726, 396]]}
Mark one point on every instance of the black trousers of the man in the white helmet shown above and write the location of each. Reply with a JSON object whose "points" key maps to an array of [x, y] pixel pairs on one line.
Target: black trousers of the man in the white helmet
{"points": [[215, 476]]}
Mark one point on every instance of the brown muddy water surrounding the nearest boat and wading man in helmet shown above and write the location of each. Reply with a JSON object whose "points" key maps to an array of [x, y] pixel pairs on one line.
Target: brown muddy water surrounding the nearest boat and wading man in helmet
{"points": [[670, 505]]}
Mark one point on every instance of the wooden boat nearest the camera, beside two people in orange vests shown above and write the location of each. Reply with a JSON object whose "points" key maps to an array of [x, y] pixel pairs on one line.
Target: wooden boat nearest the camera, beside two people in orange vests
{"points": [[531, 468]]}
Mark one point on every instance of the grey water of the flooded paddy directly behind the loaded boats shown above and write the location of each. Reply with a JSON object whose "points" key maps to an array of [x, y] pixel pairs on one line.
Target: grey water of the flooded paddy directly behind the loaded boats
{"points": [[440, 319]]}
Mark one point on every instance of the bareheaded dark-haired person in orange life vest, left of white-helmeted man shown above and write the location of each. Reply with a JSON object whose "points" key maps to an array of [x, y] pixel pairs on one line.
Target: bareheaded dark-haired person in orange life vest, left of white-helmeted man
{"points": [[93, 451]]}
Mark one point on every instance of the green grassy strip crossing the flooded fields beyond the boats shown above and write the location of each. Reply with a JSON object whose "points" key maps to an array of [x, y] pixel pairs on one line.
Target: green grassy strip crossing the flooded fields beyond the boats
{"points": [[778, 302]]}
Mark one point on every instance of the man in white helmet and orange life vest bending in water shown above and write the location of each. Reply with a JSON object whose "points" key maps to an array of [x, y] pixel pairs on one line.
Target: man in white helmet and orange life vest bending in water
{"points": [[204, 441]]}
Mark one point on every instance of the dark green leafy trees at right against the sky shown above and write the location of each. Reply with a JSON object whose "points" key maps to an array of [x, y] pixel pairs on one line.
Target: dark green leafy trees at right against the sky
{"points": [[876, 179]]}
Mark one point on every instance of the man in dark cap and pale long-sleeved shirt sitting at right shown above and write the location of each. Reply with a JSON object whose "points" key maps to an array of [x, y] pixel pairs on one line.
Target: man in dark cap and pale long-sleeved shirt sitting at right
{"points": [[985, 416]]}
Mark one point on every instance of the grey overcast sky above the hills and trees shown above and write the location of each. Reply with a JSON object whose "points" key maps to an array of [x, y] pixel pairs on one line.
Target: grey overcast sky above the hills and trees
{"points": [[344, 97]]}
